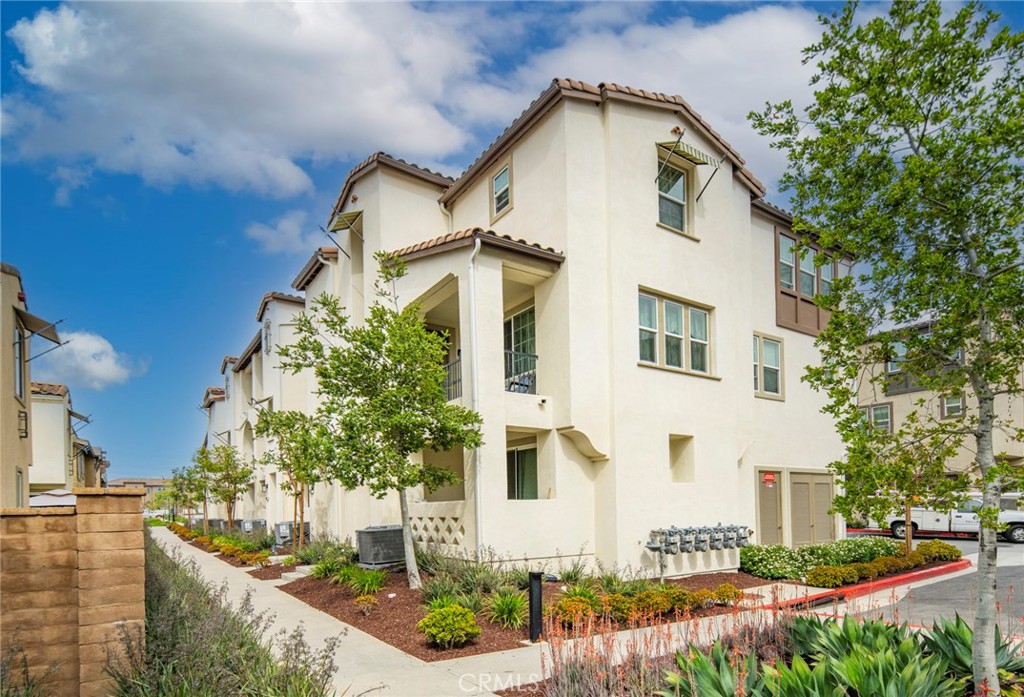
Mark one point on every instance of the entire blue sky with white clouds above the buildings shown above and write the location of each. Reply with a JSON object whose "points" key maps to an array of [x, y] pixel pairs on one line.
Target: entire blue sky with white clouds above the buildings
{"points": [[166, 164]]}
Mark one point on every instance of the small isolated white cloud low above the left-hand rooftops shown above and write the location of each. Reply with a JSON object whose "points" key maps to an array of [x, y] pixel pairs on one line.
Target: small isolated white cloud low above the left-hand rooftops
{"points": [[89, 361]]}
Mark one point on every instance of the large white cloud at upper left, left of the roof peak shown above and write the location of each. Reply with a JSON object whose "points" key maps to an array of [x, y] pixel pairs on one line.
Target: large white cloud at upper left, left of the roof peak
{"points": [[234, 95]]}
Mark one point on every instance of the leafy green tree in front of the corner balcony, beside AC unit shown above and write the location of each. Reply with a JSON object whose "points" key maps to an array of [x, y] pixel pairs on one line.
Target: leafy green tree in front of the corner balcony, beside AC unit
{"points": [[382, 396]]}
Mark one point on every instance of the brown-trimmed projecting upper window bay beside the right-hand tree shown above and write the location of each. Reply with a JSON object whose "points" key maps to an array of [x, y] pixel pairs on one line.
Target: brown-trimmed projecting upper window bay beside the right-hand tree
{"points": [[798, 281]]}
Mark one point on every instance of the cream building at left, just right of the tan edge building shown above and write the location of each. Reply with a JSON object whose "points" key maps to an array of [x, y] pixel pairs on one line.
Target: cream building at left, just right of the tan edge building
{"points": [[59, 456]]}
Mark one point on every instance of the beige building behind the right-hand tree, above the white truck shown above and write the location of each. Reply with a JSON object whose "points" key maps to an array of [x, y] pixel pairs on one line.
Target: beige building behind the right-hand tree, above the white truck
{"points": [[888, 395]]}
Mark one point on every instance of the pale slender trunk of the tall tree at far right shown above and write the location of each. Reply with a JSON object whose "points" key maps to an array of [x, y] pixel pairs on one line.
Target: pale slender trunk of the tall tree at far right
{"points": [[987, 680]]}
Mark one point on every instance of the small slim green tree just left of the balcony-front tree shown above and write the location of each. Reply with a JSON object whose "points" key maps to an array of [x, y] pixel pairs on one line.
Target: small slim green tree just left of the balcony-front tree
{"points": [[303, 451]]}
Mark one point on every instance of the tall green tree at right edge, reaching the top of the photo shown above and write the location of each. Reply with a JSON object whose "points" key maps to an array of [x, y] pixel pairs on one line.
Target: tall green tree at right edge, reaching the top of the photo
{"points": [[910, 158]]}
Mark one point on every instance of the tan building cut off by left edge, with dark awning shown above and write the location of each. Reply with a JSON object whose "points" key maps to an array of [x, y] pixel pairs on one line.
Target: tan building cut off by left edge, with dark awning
{"points": [[17, 328]]}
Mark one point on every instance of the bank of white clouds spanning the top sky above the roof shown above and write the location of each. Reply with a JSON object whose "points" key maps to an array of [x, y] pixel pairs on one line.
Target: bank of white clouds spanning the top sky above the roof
{"points": [[244, 96]]}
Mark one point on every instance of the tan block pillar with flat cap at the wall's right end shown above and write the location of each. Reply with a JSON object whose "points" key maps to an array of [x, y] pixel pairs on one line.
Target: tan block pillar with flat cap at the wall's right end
{"points": [[111, 579]]}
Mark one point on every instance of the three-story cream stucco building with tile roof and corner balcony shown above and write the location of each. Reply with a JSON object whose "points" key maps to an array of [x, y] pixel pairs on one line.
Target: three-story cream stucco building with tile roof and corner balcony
{"points": [[627, 317]]}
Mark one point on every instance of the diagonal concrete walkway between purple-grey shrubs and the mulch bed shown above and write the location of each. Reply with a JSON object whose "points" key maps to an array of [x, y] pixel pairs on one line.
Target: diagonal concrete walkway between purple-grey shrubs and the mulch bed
{"points": [[366, 665]]}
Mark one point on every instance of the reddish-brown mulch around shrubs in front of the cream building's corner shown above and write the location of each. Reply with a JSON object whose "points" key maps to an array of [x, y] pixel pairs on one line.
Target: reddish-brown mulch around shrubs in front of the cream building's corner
{"points": [[394, 622]]}
